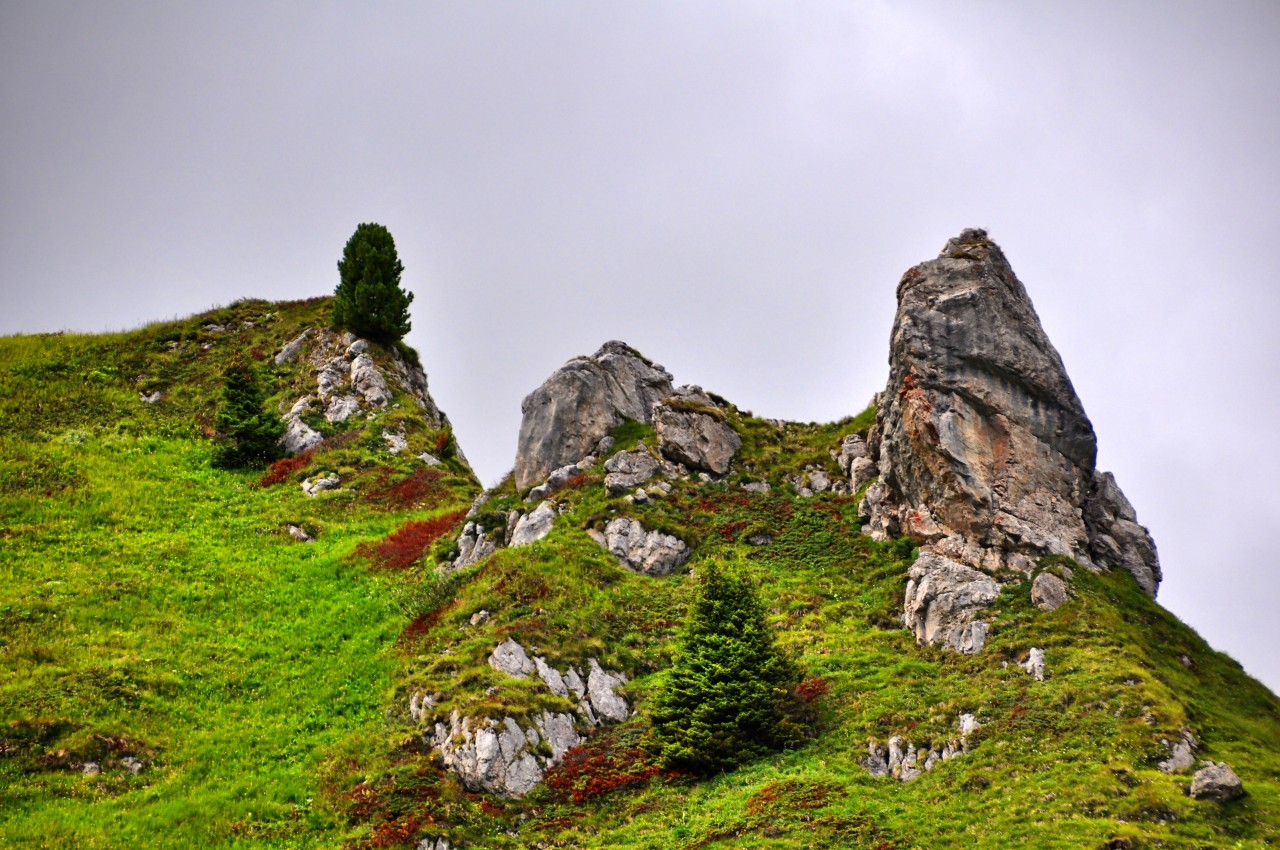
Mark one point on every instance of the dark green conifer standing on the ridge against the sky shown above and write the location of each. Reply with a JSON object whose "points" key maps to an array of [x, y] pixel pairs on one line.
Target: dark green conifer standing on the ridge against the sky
{"points": [[369, 300]]}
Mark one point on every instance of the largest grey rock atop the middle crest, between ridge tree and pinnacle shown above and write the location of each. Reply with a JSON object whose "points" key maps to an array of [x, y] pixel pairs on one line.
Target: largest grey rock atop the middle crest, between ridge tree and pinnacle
{"points": [[568, 417]]}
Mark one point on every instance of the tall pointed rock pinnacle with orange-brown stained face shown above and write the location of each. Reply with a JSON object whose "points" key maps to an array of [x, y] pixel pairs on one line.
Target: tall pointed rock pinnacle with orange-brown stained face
{"points": [[985, 454]]}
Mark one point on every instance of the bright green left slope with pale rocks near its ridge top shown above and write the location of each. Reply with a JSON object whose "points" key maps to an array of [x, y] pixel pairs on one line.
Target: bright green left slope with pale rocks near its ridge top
{"points": [[182, 646]]}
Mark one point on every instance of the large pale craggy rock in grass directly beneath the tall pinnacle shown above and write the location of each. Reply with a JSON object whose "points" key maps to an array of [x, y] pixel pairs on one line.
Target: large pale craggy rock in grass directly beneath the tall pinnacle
{"points": [[944, 600]]}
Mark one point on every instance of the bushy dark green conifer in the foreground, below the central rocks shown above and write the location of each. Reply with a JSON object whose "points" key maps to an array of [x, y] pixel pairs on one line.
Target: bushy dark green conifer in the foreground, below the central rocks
{"points": [[726, 700]]}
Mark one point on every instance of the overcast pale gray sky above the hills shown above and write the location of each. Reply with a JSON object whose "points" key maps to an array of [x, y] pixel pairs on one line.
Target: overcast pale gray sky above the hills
{"points": [[733, 188]]}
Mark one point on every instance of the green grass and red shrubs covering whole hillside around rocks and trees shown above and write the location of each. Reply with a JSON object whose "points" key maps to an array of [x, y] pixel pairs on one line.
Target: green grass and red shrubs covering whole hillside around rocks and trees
{"points": [[156, 609]]}
